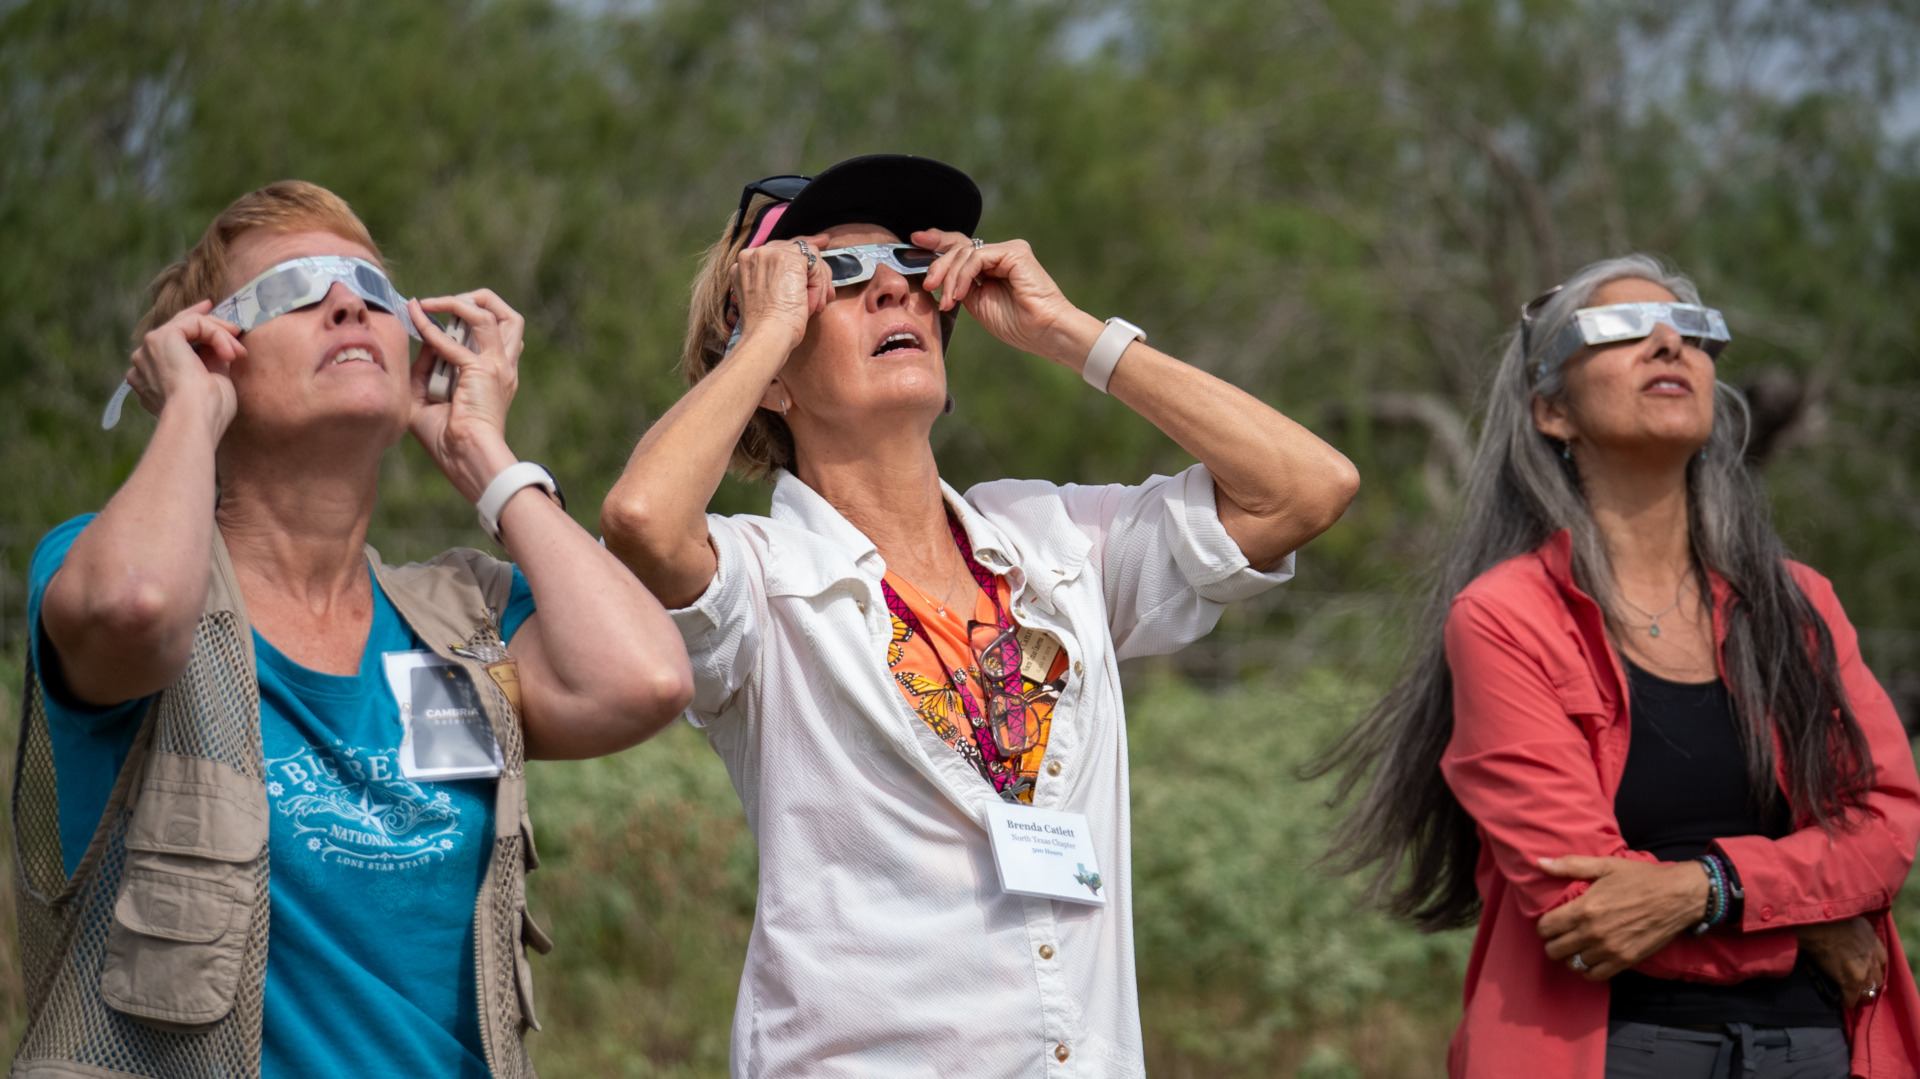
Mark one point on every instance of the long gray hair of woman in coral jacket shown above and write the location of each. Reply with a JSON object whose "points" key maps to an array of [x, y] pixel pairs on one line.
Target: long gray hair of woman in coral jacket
{"points": [[1520, 492]]}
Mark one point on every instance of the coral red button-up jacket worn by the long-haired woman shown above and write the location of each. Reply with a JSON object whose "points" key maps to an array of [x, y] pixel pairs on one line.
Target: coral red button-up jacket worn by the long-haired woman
{"points": [[1539, 746]]}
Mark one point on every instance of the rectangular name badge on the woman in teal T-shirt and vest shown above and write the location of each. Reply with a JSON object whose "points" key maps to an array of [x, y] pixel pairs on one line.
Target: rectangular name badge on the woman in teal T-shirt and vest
{"points": [[444, 731]]}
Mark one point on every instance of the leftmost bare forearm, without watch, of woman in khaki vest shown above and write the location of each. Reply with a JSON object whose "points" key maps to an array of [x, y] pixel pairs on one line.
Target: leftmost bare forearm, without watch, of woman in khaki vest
{"points": [[124, 608]]}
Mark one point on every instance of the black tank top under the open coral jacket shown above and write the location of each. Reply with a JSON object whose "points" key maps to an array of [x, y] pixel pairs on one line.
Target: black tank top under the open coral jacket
{"points": [[1687, 786]]}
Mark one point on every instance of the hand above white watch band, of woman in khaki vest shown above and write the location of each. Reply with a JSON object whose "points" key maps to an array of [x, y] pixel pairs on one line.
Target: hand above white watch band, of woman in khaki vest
{"points": [[468, 435]]}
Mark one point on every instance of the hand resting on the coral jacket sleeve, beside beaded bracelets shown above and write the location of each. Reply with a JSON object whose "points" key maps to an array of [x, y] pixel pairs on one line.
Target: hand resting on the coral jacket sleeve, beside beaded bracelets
{"points": [[1633, 911]]}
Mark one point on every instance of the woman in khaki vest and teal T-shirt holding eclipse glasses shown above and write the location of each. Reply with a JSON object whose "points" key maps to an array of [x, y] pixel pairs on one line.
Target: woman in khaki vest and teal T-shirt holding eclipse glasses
{"points": [[270, 803]]}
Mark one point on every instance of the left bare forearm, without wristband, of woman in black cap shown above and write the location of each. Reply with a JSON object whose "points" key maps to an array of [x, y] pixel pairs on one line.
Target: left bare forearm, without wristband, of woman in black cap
{"points": [[656, 516]]}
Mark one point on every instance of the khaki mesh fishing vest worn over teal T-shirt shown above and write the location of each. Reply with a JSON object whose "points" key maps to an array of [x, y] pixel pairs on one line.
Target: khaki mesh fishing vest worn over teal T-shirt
{"points": [[153, 957]]}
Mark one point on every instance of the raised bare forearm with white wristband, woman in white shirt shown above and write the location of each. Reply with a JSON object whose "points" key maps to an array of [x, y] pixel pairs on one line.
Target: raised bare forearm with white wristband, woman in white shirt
{"points": [[1278, 483]]}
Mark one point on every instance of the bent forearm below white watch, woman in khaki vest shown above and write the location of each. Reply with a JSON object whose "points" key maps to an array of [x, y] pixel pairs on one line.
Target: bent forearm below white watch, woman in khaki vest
{"points": [[604, 665]]}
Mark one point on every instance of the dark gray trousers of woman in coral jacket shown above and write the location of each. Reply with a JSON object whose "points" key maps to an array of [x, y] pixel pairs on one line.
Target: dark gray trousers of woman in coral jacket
{"points": [[1644, 1051]]}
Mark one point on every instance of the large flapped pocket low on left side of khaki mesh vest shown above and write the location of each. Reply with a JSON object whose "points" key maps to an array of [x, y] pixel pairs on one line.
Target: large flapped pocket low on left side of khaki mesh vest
{"points": [[185, 907]]}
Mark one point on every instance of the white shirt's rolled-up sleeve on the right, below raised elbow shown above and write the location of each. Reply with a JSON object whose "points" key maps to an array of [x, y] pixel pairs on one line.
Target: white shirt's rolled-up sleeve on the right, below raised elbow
{"points": [[1166, 563]]}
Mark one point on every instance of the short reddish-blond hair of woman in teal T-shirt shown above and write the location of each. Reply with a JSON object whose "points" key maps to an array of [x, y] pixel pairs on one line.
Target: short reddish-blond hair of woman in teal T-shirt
{"points": [[285, 206]]}
